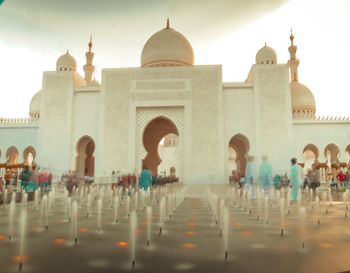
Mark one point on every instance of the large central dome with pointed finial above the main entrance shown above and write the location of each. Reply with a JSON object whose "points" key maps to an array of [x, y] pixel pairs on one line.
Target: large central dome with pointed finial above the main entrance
{"points": [[167, 47]]}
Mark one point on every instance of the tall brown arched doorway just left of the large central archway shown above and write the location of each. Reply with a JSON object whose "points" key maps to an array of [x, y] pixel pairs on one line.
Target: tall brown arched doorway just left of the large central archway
{"points": [[85, 160]]}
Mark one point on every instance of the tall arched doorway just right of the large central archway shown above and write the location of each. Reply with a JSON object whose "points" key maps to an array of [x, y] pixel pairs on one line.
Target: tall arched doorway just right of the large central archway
{"points": [[238, 152]]}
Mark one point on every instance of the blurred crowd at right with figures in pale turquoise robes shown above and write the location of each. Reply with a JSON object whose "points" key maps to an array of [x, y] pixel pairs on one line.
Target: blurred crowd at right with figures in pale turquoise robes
{"points": [[296, 178]]}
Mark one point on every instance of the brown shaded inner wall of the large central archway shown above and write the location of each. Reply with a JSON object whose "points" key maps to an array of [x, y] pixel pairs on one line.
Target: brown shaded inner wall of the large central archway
{"points": [[154, 132]]}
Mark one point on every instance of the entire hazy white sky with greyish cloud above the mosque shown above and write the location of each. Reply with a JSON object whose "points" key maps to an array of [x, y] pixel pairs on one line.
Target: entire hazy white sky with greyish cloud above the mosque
{"points": [[33, 34]]}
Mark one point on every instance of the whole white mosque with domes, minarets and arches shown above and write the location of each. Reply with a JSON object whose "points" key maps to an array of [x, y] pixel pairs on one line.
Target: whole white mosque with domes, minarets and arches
{"points": [[211, 126]]}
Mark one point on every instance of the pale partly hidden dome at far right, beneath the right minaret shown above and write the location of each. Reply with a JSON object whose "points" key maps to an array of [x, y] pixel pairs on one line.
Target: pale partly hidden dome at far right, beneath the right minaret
{"points": [[302, 98]]}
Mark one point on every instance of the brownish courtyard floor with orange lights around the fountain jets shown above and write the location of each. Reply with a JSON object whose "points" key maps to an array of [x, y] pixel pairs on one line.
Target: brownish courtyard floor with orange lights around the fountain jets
{"points": [[190, 241]]}
